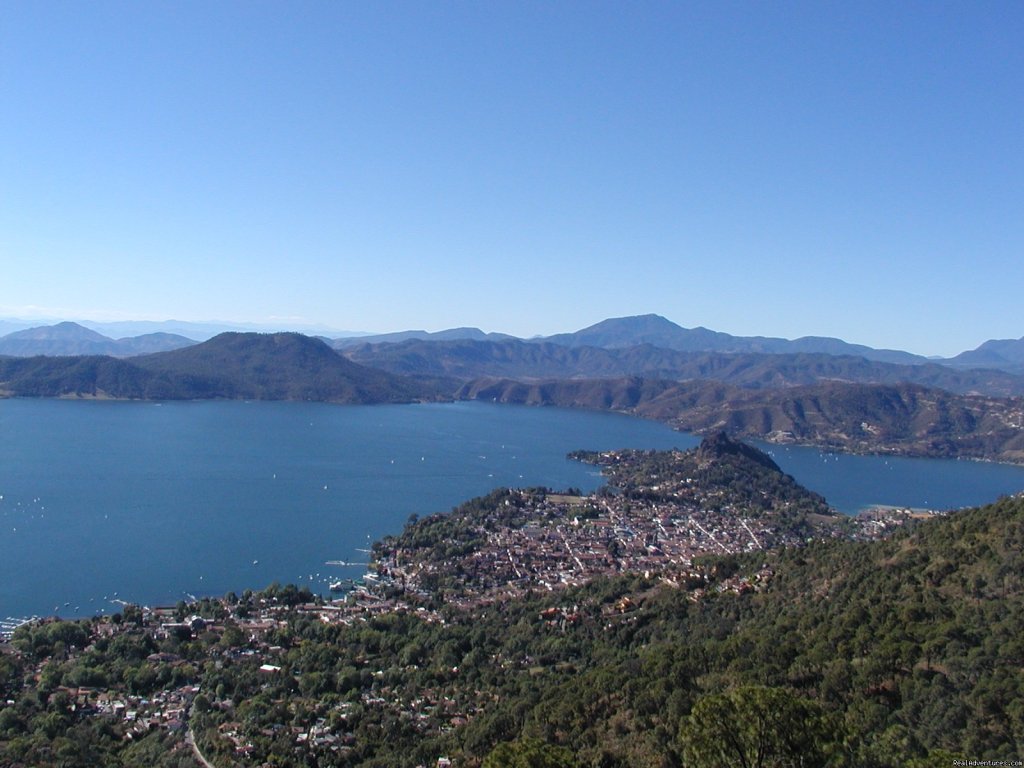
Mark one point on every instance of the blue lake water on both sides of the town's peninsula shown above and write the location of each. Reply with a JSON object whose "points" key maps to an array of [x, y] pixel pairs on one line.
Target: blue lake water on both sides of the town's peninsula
{"points": [[151, 503]]}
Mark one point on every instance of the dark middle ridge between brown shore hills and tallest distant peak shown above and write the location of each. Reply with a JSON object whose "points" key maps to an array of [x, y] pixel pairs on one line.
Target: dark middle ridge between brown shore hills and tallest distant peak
{"points": [[520, 360]]}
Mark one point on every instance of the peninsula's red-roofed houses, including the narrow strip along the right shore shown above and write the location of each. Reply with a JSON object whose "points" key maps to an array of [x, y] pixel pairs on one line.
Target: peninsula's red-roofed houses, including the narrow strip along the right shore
{"points": [[659, 529]]}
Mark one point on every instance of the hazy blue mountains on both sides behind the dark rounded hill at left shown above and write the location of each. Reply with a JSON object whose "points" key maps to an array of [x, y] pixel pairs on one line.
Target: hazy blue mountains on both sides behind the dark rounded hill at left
{"points": [[648, 346]]}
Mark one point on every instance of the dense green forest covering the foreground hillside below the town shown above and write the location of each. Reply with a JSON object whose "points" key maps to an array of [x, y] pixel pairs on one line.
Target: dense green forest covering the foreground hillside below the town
{"points": [[905, 652]]}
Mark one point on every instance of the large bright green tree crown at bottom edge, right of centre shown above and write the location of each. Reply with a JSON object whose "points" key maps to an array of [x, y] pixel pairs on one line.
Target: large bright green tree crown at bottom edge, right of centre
{"points": [[757, 728]]}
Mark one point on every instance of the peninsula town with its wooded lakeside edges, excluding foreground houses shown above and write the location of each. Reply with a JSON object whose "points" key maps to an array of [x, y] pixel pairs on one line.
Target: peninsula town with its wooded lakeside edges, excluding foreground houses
{"points": [[657, 524]]}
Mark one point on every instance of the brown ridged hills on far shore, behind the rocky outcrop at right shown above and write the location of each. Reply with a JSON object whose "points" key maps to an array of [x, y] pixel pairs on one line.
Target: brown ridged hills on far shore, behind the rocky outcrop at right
{"points": [[862, 418]]}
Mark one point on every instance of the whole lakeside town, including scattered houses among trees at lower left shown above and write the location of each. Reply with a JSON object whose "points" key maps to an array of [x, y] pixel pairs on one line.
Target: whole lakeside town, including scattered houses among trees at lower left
{"points": [[670, 527]]}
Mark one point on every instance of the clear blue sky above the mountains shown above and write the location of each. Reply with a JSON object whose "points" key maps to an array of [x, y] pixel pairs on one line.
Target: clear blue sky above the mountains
{"points": [[849, 169]]}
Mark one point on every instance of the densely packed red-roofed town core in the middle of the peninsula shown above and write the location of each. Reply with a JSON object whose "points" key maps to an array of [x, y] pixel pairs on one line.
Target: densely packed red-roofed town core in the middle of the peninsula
{"points": [[573, 540]]}
